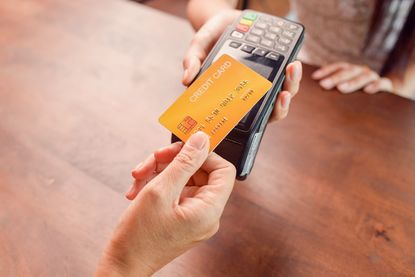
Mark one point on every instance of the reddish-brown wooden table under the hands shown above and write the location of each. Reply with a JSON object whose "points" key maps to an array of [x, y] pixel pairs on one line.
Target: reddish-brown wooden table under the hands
{"points": [[82, 84]]}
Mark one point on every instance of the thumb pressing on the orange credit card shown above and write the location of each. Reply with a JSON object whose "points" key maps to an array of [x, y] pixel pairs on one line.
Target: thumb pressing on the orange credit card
{"points": [[190, 158]]}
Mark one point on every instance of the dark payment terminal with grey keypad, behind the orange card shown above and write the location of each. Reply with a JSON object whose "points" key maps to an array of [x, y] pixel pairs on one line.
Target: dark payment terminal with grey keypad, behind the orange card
{"points": [[266, 44]]}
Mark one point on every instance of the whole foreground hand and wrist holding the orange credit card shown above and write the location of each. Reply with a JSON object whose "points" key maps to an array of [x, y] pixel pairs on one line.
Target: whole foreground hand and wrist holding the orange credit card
{"points": [[178, 197]]}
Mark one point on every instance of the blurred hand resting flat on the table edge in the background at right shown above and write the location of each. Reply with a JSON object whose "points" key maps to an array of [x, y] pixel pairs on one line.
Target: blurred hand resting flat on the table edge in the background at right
{"points": [[348, 78]]}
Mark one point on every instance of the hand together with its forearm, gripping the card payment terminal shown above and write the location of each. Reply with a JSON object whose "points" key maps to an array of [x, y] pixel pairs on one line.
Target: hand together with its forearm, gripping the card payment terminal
{"points": [[210, 18]]}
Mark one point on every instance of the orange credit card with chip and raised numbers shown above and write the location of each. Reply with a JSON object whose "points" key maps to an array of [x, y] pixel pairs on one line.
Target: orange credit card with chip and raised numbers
{"points": [[216, 101]]}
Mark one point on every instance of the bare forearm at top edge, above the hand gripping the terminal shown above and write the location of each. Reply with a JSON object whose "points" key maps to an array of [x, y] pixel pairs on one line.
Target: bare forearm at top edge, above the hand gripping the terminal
{"points": [[199, 11]]}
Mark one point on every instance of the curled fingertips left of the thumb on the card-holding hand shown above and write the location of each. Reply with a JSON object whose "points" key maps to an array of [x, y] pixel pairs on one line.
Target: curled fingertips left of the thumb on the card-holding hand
{"points": [[154, 164]]}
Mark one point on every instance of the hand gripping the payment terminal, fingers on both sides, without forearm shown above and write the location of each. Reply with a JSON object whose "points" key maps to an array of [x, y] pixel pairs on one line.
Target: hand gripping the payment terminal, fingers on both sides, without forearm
{"points": [[204, 40]]}
